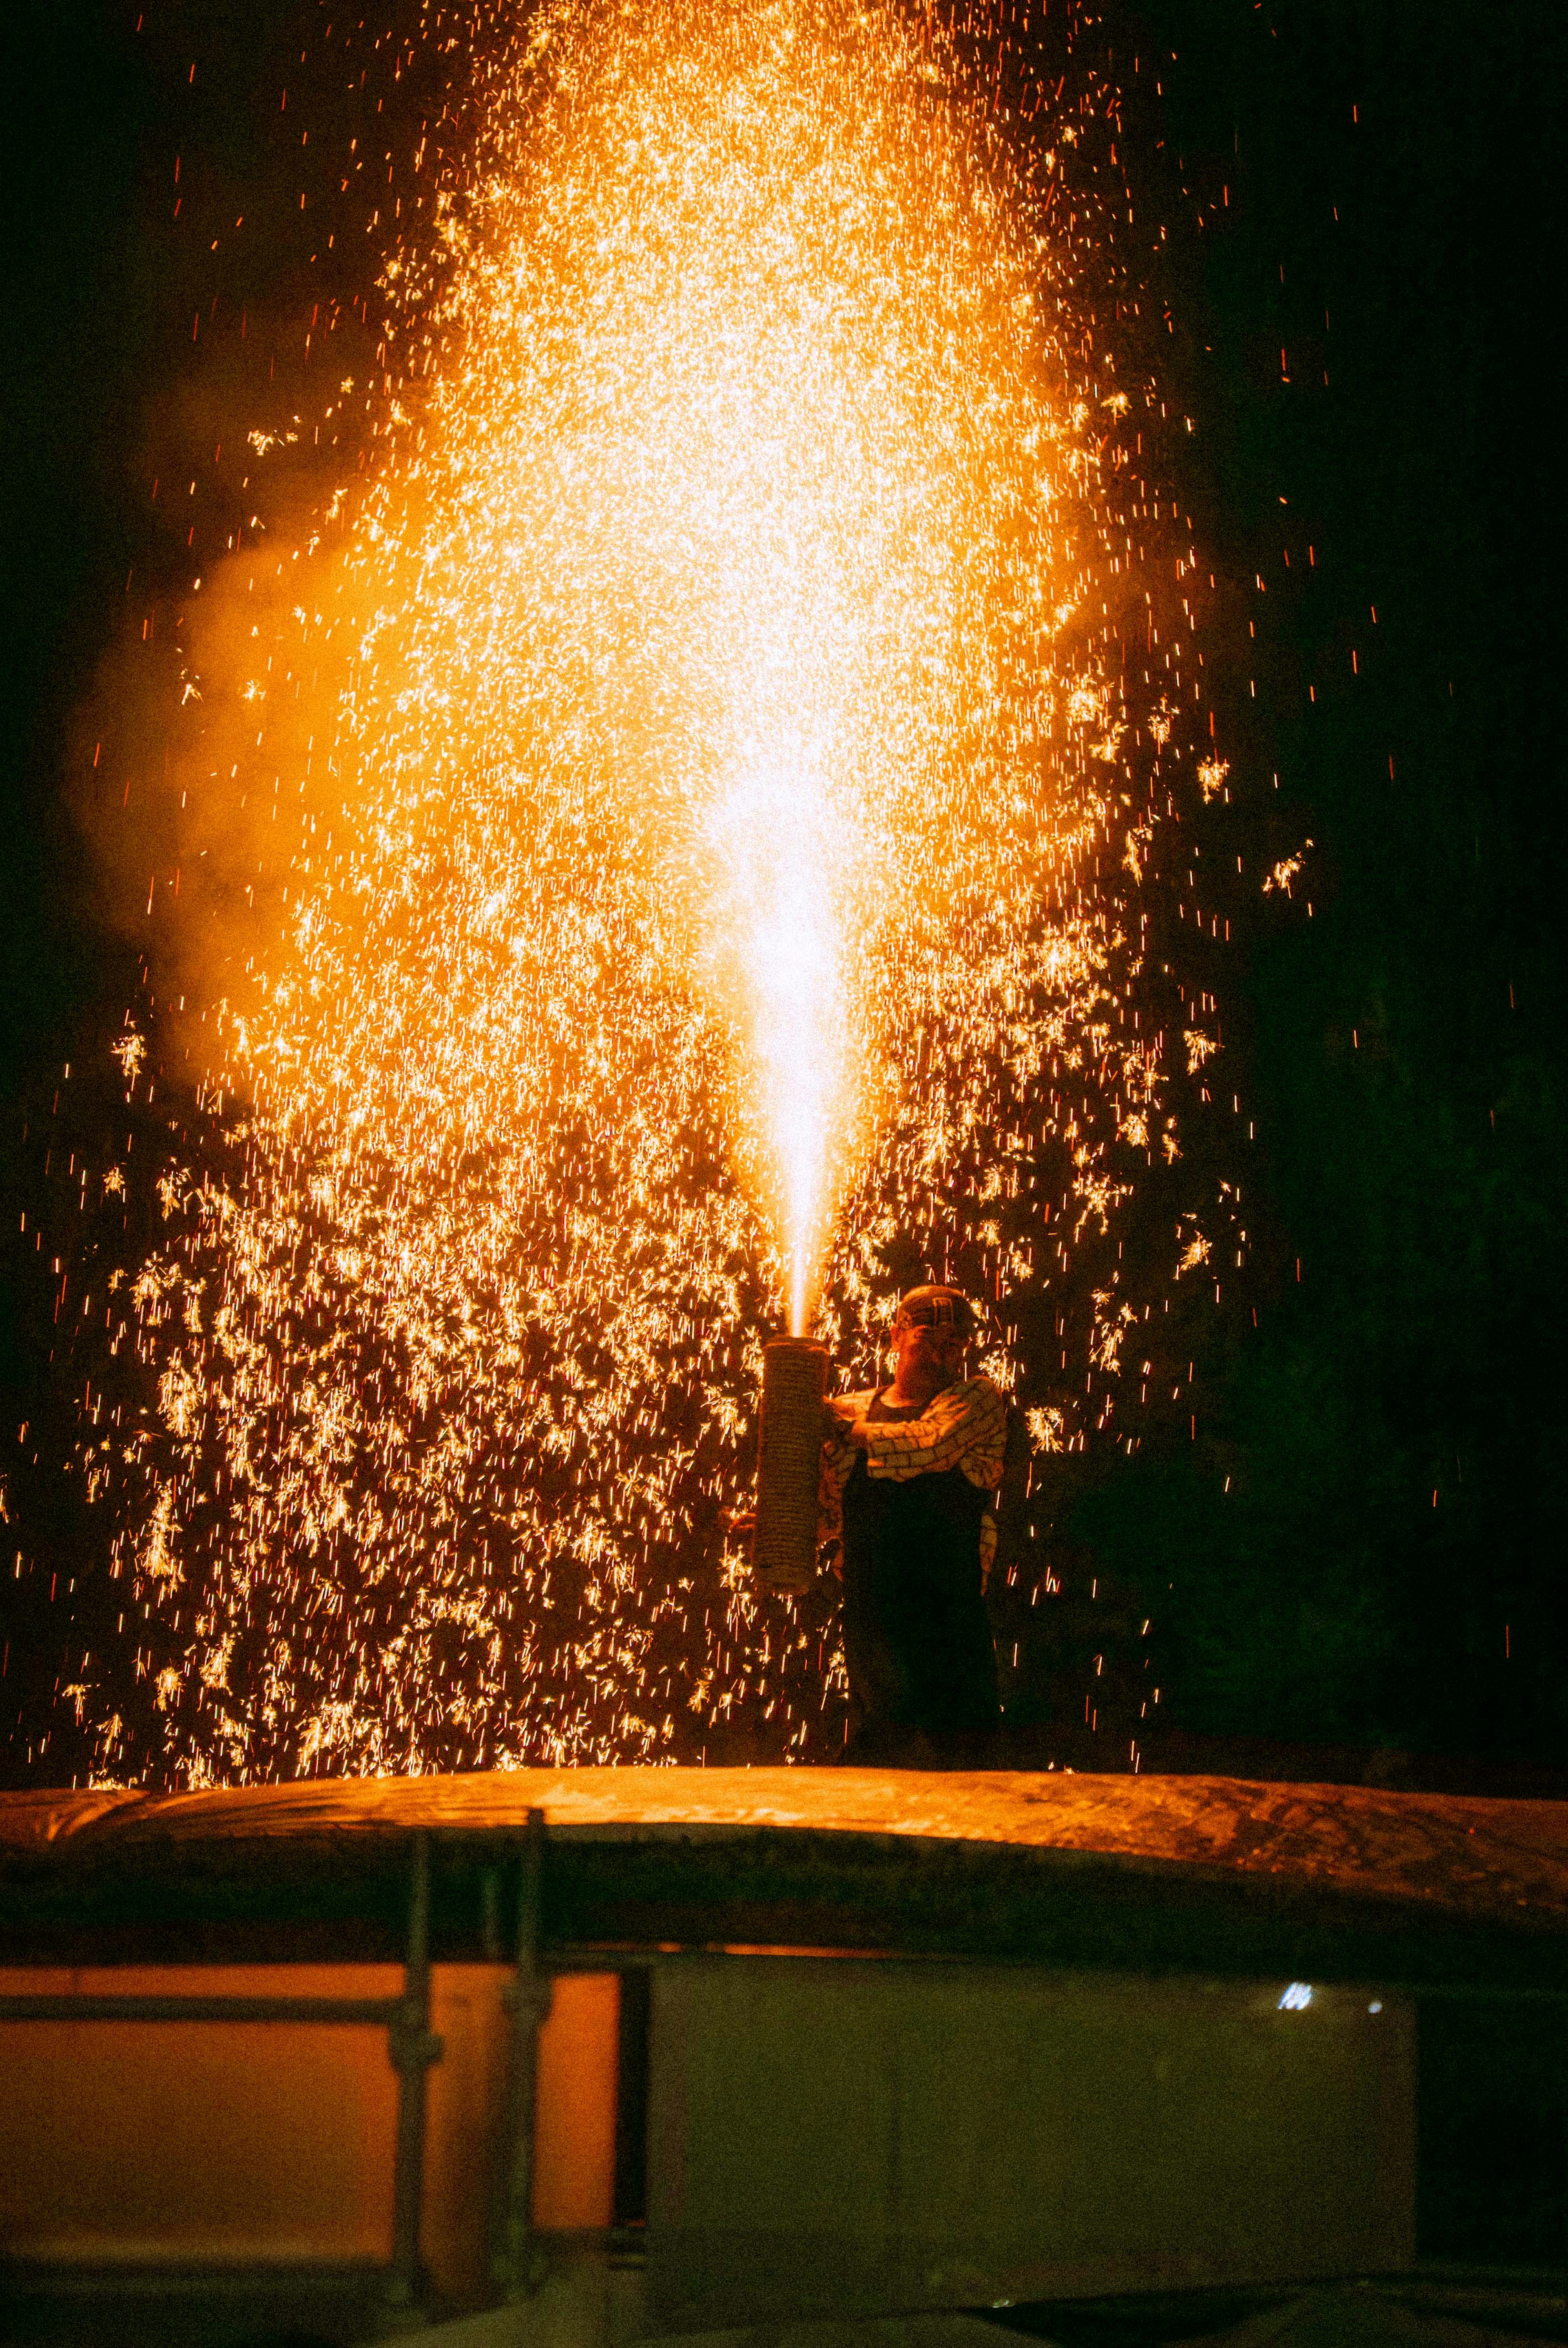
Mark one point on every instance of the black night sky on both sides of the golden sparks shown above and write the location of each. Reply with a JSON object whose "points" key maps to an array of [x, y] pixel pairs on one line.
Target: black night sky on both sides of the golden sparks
{"points": [[1367, 1539]]}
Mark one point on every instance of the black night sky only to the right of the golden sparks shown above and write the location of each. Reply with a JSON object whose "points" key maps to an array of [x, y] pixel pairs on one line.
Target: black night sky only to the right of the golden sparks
{"points": [[1393, 1567]]}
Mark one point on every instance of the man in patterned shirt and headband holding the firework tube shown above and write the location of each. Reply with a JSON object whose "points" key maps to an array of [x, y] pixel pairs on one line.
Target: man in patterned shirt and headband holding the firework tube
{"points": [[907, 1483]]}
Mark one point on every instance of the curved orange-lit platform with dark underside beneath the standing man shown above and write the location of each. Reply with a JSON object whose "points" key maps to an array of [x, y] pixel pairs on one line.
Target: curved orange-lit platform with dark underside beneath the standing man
{"points": [[1165, 1873]]}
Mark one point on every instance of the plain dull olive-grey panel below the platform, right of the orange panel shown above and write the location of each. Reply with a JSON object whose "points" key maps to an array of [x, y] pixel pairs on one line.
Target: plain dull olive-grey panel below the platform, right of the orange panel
{"points": [[837, 2138]]}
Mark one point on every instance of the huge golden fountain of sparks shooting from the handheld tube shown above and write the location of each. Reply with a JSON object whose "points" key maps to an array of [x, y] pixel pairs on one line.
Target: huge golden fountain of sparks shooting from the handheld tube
{"points": [[689, 755]]}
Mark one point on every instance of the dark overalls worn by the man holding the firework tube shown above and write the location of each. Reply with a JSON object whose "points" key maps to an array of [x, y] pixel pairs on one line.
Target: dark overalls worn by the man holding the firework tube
{"points": [[917, 1633]]}
